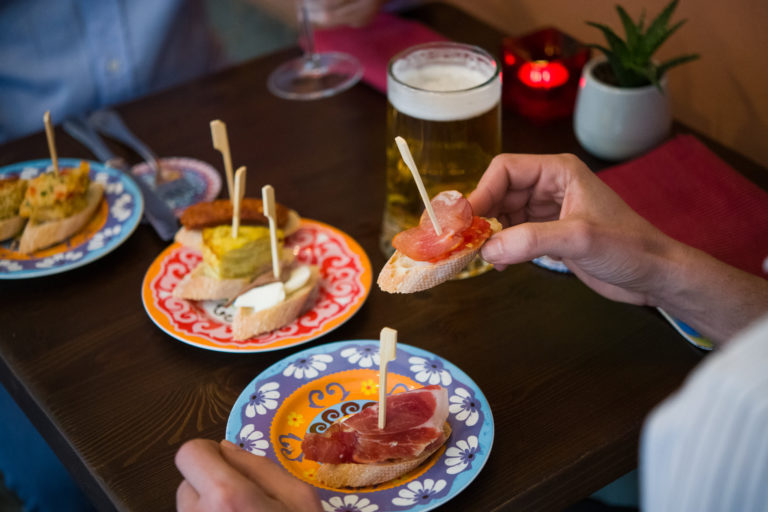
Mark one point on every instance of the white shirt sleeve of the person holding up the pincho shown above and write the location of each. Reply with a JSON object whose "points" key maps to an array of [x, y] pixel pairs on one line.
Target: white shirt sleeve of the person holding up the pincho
{"points": [[706, 447]]}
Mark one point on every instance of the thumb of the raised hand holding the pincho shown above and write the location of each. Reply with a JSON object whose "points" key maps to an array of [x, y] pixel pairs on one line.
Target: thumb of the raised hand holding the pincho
{"points": [[530, 240]]}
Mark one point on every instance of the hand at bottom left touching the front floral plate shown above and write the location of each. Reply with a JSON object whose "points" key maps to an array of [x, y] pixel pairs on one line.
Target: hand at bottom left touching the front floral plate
{"points": [[224, 477]]}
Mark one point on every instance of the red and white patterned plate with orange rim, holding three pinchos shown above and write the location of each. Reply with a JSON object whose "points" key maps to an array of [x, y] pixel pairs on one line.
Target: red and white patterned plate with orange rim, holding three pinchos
{"points": [[345, 282]]}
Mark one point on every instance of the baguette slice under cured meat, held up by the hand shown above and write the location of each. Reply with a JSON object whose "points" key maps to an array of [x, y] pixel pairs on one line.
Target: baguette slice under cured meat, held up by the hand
{"points": [[402, 274]]}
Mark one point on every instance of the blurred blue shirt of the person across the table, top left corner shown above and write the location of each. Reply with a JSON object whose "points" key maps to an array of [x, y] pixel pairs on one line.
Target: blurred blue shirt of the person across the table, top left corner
{"points": [[74, 56]]}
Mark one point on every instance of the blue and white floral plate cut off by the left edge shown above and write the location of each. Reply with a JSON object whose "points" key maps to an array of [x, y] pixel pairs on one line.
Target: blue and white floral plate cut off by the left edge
{"points": [[112, 224]]}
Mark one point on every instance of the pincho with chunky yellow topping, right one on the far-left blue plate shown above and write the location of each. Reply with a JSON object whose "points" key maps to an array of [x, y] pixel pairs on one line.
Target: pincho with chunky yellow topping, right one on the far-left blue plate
{"points": [[57, 205]]}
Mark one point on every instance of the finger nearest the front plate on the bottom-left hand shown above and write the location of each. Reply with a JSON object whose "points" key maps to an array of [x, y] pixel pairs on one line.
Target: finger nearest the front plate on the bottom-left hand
{"points": [[277, 482]]}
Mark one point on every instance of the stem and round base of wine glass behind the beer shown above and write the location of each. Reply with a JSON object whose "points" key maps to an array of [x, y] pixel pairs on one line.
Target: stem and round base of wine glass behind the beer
{"points": [[313, 75]]}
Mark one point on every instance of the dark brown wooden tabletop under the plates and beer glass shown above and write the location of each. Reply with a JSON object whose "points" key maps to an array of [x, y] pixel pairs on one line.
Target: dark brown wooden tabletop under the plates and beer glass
{"points": [[569, 375]]}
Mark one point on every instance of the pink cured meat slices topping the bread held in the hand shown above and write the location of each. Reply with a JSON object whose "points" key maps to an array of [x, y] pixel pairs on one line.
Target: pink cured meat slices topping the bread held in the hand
{"points": [[422, 243]]}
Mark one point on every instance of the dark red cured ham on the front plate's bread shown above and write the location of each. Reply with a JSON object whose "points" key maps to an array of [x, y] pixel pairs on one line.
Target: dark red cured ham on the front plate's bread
{"points": [[414, 424]]}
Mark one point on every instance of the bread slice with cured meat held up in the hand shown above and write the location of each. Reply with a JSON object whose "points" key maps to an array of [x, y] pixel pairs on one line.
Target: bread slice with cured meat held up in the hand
{"points": [[423, 259]]}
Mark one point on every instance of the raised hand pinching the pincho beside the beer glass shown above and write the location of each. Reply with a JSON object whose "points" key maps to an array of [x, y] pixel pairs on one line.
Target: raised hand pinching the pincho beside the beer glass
{"points": [[554, 205]]}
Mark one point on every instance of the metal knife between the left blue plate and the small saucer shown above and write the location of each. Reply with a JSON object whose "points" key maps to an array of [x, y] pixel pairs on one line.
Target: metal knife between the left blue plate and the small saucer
{"points": [[156, 210]]}
